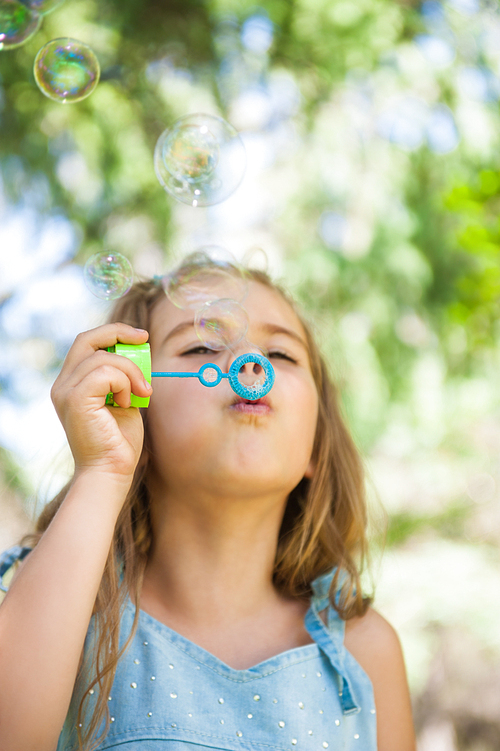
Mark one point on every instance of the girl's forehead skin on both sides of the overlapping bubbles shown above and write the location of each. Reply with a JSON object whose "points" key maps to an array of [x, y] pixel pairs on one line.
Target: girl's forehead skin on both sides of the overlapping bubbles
{"points": [[263, 304]]}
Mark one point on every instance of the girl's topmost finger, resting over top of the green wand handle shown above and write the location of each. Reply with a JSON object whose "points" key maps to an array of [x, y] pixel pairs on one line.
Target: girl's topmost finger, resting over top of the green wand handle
{"points": [[102, 337]]}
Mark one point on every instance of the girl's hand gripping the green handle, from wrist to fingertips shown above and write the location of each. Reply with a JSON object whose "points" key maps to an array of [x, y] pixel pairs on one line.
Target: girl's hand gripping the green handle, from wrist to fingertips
{"points": [[108, 439]]}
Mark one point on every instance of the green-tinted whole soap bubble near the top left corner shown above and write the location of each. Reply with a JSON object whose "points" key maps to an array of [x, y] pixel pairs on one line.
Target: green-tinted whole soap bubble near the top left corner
{"points": [[66, 70]]}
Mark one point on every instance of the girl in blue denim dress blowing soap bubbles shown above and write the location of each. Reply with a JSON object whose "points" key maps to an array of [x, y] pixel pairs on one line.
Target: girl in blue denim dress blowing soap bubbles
{"points": [[196, 584]]}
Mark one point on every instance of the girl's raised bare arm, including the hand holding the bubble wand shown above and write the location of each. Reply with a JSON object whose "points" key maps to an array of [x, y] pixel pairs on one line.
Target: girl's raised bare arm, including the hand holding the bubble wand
{"points": [[45, 615]]}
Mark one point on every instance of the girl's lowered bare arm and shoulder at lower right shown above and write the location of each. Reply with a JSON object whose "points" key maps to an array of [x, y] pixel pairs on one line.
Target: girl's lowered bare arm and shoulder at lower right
{"points": [[375, 645]]}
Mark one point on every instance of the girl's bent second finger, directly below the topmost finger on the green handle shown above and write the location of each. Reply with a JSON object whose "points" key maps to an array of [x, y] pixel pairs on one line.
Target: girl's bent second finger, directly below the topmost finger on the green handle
{"points": [[101, 358]]}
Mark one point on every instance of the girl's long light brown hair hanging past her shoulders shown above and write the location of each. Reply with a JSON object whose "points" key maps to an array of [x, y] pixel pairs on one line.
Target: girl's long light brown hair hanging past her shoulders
{"points": [[324, 524]]}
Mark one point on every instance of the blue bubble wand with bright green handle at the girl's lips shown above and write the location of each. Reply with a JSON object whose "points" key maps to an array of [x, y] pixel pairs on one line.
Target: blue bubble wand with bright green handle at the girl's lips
{"points": [[141, 355]]}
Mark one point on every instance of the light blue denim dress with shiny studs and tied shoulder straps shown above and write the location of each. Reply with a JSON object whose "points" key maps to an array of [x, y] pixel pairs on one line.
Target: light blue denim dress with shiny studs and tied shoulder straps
{"points": [[170, 694]]}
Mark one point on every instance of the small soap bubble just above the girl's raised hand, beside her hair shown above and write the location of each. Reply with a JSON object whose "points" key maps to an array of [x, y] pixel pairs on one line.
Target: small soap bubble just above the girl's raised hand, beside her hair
{"points": [[108, 275]]}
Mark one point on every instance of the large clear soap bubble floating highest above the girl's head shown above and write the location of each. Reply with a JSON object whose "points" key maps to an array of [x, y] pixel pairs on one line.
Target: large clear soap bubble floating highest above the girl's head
{"points": [[200, 160]]}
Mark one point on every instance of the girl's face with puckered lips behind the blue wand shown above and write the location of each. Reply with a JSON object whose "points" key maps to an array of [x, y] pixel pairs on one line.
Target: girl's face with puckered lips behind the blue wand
{"points": [[207, 439]]}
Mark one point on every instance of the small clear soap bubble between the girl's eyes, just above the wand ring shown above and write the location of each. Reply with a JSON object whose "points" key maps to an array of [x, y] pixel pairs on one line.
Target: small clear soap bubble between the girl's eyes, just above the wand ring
{"points": [[221, 324]]}
